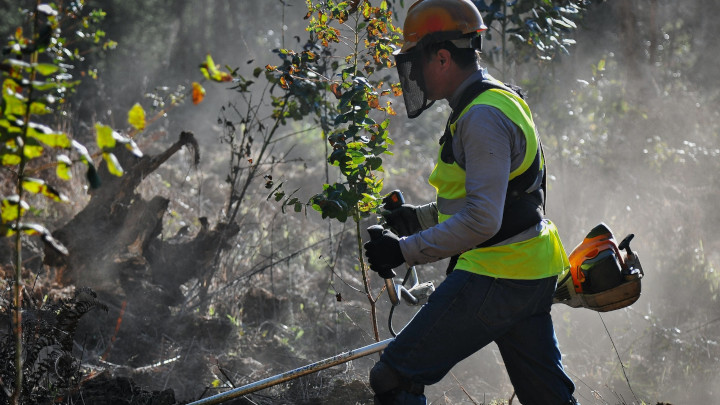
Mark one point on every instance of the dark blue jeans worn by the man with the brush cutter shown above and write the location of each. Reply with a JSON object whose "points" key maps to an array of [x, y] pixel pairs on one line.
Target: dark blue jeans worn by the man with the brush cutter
{"points": [[465, 314]]}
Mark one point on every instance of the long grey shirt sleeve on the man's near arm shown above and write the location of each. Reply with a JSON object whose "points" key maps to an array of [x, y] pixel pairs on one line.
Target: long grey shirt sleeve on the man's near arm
{"points": [[487, 145]]}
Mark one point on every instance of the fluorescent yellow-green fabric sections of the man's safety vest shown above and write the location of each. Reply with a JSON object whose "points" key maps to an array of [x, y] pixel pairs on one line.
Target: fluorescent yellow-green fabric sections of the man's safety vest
{"points": [[539, 257]]}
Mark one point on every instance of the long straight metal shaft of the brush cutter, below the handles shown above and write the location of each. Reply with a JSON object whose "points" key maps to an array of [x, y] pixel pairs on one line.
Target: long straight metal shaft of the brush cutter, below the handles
{"points": [[292, 374]]}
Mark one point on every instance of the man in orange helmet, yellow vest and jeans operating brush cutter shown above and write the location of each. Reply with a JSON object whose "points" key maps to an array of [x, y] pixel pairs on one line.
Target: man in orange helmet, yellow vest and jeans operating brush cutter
{"points": [[488, 217]]}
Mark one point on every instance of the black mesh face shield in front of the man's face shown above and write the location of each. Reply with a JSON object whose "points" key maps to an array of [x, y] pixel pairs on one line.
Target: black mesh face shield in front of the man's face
{"points": [[409, 66]]}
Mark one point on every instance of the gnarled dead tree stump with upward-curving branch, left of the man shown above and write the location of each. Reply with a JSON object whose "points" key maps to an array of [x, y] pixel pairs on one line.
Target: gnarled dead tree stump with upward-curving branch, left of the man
{"points": [[115, 244]]}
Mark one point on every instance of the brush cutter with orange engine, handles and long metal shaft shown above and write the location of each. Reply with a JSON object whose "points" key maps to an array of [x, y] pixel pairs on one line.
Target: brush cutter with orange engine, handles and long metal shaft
{"points": [[603, 276]]}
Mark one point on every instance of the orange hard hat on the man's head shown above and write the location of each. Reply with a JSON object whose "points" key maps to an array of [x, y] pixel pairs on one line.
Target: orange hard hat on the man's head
{"points": [[425, 17]]}
